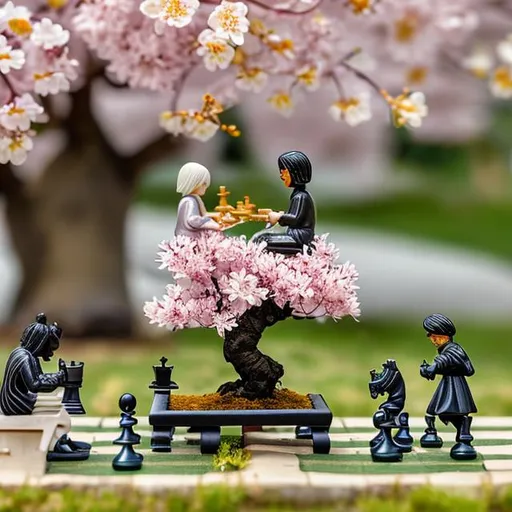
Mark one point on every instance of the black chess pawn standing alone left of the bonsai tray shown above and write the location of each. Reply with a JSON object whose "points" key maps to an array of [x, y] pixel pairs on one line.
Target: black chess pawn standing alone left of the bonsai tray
{"points": [[127, 459]]}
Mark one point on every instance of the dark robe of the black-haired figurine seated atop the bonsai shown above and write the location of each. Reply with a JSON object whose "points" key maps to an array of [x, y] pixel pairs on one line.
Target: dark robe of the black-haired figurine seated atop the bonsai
{"points": [[300, 219]]}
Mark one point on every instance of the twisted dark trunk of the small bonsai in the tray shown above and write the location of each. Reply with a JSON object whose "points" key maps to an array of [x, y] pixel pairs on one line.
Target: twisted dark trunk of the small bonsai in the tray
{"points": [[259, 373]]}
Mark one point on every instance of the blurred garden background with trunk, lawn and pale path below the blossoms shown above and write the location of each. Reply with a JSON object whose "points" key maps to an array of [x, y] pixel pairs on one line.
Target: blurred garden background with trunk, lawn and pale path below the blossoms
{"points": [[425, 216]]}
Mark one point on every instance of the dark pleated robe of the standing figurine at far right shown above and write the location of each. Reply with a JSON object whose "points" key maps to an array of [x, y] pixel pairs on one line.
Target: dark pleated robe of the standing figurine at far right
{"points": [[452, 396]]}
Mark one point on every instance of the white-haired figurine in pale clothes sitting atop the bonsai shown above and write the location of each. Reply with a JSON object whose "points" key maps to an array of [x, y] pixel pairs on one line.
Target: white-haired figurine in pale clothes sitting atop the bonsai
{"points": [[193, 180]]}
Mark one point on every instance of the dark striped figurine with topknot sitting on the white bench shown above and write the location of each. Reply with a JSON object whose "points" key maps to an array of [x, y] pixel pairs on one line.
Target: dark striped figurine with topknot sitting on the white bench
{"points": [[27, 390]]}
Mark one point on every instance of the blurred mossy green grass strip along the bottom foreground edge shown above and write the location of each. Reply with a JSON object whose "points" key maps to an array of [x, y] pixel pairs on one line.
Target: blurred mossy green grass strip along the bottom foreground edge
{"points": [[223, 499]]}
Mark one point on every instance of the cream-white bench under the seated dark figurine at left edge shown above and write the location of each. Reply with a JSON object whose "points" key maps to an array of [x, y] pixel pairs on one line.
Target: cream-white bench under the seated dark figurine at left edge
{"points": [[25, 440]]}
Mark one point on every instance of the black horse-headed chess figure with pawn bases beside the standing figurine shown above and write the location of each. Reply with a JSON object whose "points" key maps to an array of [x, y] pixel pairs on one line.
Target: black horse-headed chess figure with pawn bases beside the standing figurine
{"points": [[390, 415]]}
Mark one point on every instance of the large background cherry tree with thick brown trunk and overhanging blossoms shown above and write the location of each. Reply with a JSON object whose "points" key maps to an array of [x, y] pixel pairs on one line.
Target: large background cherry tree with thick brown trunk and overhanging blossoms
{"points": [[68, 227]]}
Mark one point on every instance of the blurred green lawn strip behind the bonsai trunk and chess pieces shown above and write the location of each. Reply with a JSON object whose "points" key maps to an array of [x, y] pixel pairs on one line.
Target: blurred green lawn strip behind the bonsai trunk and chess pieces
{"points": [[332, 359]]}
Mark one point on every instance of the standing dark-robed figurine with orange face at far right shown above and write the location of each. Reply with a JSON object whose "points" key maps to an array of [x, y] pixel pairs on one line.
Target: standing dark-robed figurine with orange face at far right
{"points": [[452, 401]]}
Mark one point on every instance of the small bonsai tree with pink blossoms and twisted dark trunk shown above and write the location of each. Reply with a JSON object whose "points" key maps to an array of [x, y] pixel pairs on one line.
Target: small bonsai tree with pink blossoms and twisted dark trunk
{"points": [[239, 288]]}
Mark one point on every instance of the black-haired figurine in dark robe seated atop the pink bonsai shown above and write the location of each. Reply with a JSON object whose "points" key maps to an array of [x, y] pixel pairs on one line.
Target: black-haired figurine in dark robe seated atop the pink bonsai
{"points": [[295, 171]]}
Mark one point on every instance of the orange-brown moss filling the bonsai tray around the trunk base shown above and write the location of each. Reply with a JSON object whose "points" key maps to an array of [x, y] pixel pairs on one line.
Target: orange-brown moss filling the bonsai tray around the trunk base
{"points": [[282, 399]]}
